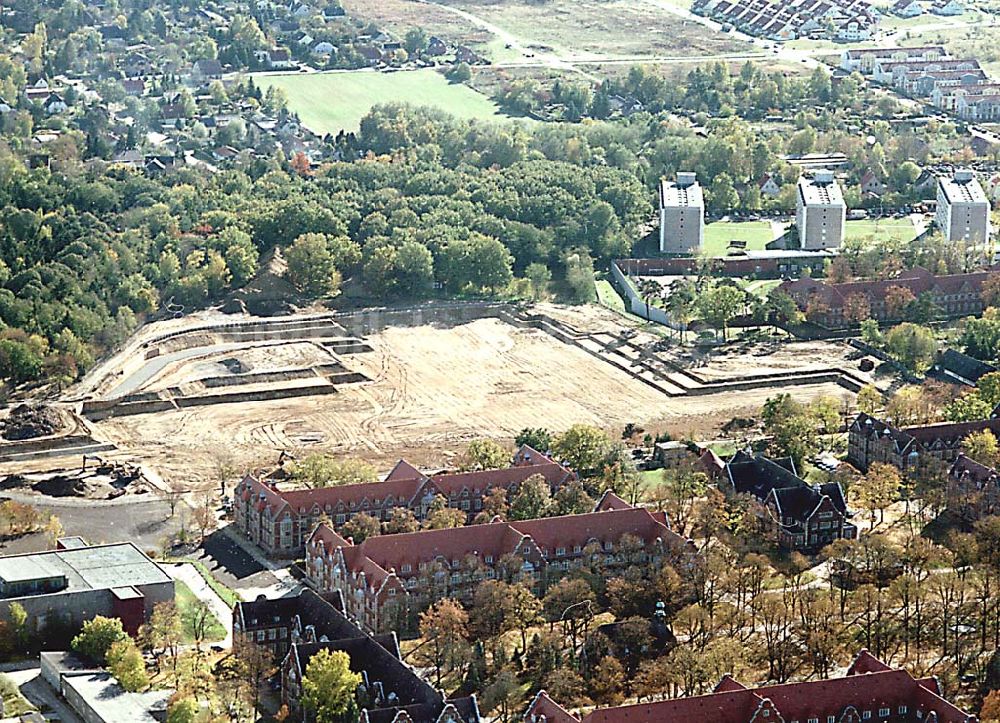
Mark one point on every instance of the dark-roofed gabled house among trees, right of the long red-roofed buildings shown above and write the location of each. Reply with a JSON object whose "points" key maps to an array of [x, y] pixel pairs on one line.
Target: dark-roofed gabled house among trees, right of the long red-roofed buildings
{"points": [[797, 515]]}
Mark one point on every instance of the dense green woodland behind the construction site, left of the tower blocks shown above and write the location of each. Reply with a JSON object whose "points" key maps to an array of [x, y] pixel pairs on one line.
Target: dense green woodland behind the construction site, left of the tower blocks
{"points": [[86, 250]]}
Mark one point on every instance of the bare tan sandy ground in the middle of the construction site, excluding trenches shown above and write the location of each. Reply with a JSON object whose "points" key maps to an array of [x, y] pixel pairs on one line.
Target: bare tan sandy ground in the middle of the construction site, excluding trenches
{"points": [[433, 388]]}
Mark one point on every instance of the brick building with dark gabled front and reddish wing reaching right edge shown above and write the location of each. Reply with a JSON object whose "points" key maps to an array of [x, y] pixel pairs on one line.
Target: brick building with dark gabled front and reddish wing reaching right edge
{"points": [[872, 440]]}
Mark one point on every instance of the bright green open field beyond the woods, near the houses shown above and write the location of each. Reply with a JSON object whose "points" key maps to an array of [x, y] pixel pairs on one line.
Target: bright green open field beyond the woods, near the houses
{"points": [[331, 102]]}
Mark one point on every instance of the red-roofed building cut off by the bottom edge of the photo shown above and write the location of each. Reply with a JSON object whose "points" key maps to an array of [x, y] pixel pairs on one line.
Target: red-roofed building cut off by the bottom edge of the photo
{"points": [[871, 691]]}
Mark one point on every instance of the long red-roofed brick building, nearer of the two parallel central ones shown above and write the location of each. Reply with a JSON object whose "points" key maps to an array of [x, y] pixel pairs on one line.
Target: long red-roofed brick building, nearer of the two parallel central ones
{"points": [[386, 580]]}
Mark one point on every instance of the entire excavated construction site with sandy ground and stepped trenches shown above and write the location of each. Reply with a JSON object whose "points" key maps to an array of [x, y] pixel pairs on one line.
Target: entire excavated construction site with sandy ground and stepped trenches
{"points": [[187, 396]]}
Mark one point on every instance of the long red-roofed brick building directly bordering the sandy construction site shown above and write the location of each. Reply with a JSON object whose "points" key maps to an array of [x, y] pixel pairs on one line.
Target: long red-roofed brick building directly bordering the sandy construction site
{"points": [[279, 521]]}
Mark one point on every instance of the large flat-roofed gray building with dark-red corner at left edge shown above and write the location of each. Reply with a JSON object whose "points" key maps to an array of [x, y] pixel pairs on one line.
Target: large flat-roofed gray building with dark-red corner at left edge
{"points": [[70, 586]]}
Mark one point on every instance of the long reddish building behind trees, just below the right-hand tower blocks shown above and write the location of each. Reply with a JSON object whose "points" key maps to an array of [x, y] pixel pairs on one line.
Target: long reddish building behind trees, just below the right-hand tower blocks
{"points": [[825, 303]]}
